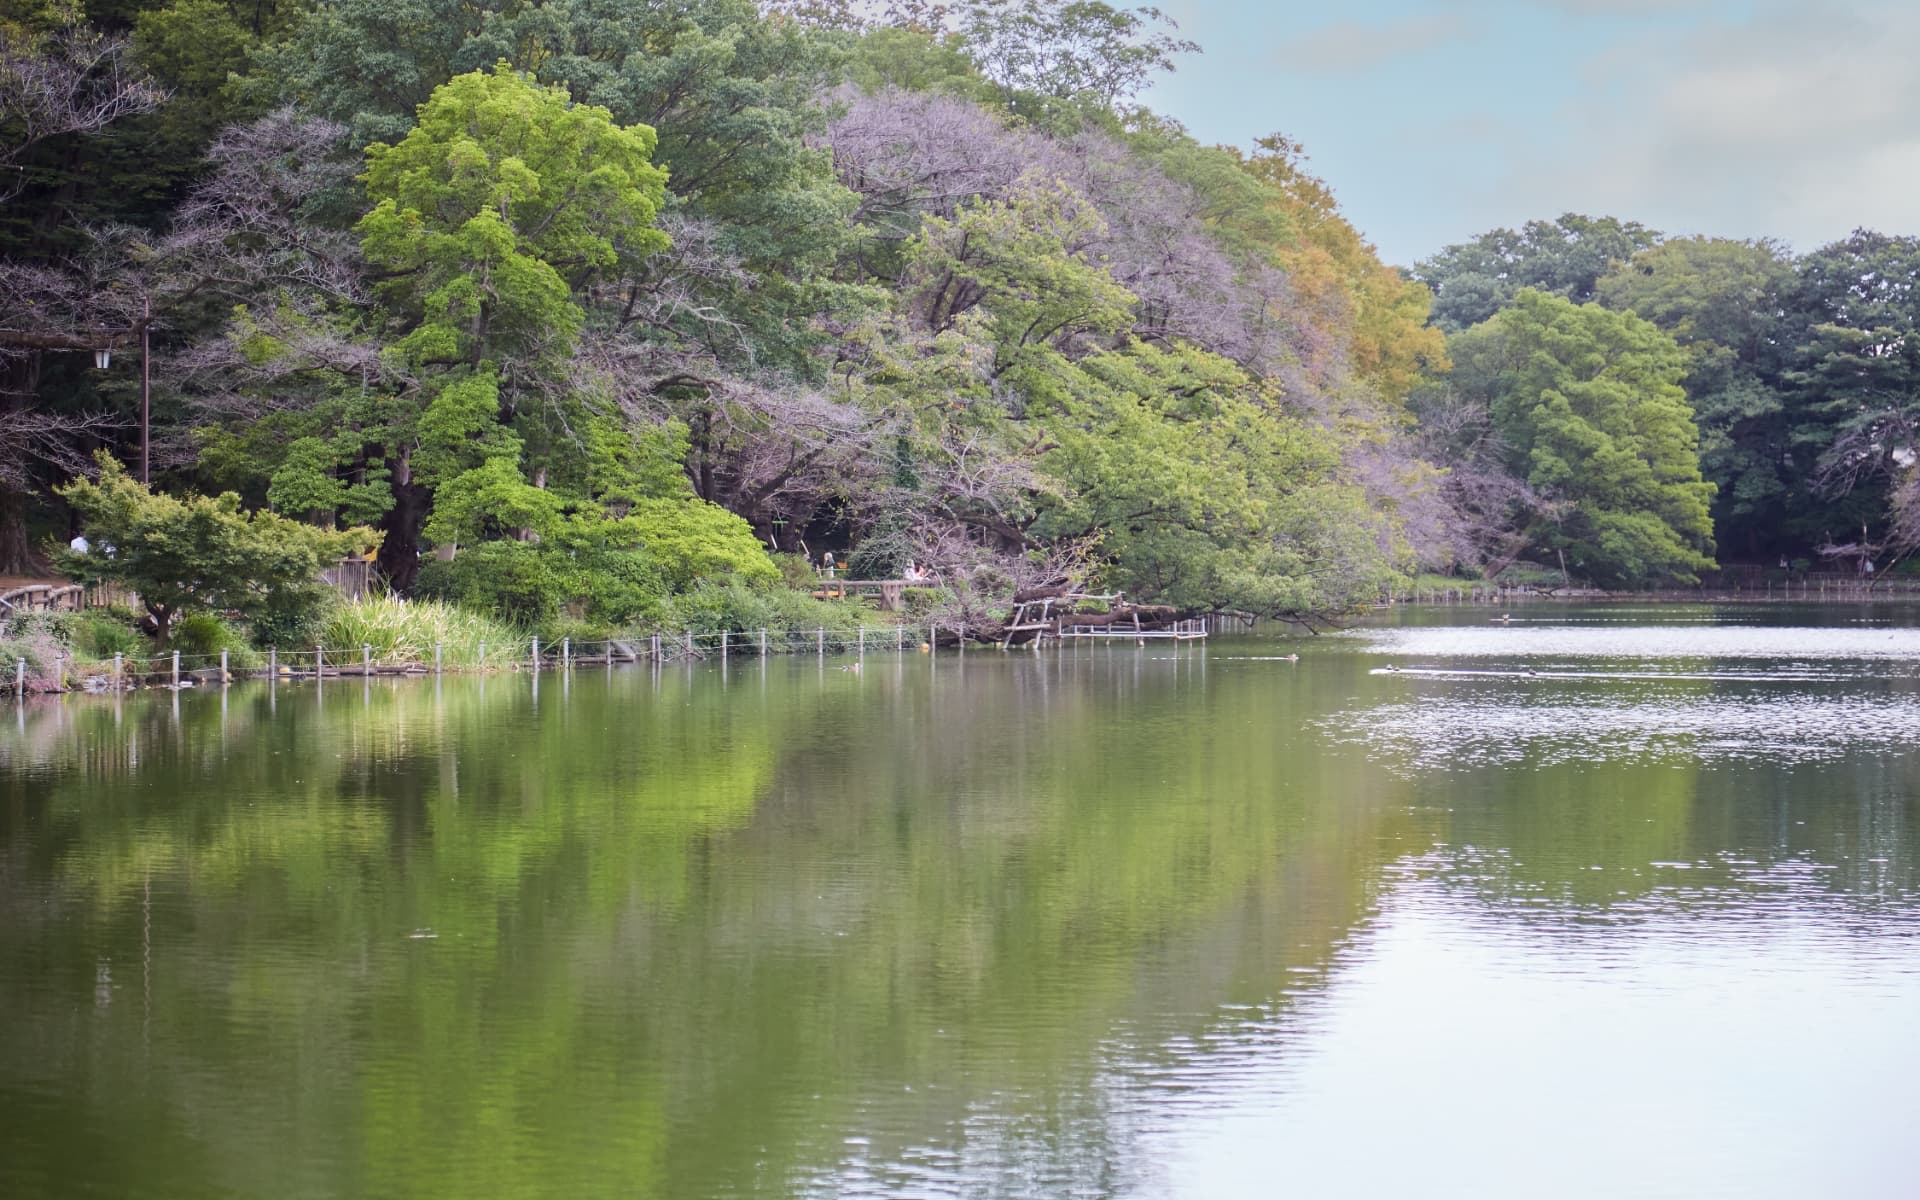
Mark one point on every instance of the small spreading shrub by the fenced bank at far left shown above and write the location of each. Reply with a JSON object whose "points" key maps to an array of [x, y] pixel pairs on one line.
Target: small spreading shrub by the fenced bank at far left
{"points": [[199, 554]]}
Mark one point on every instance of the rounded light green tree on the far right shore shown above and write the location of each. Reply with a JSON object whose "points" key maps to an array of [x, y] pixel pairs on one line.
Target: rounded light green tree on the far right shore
{"points": [[1595, 418]]}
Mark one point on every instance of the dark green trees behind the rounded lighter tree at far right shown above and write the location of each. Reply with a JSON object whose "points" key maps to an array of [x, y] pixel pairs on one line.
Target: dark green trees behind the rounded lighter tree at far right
{"points": [[1802, 372]]}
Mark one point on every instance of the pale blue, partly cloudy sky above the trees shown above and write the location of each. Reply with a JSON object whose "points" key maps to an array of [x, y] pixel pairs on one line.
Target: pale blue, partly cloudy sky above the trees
{"points": [[1439, 120]]}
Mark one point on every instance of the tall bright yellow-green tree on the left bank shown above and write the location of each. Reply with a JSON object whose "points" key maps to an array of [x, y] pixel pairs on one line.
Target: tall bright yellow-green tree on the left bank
{"points": [[489, 224]]}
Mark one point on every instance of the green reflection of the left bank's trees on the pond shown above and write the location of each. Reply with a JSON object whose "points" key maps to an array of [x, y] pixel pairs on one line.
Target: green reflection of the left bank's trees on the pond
{"points": [[684, 942]]}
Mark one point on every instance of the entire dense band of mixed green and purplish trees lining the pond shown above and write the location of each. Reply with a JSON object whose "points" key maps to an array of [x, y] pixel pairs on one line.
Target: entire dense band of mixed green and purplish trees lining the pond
{"points": [[585, 306]]}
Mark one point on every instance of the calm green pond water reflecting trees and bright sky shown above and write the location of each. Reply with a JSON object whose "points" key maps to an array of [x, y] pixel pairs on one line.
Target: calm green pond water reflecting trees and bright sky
{"points": [[1596, 903]]}
